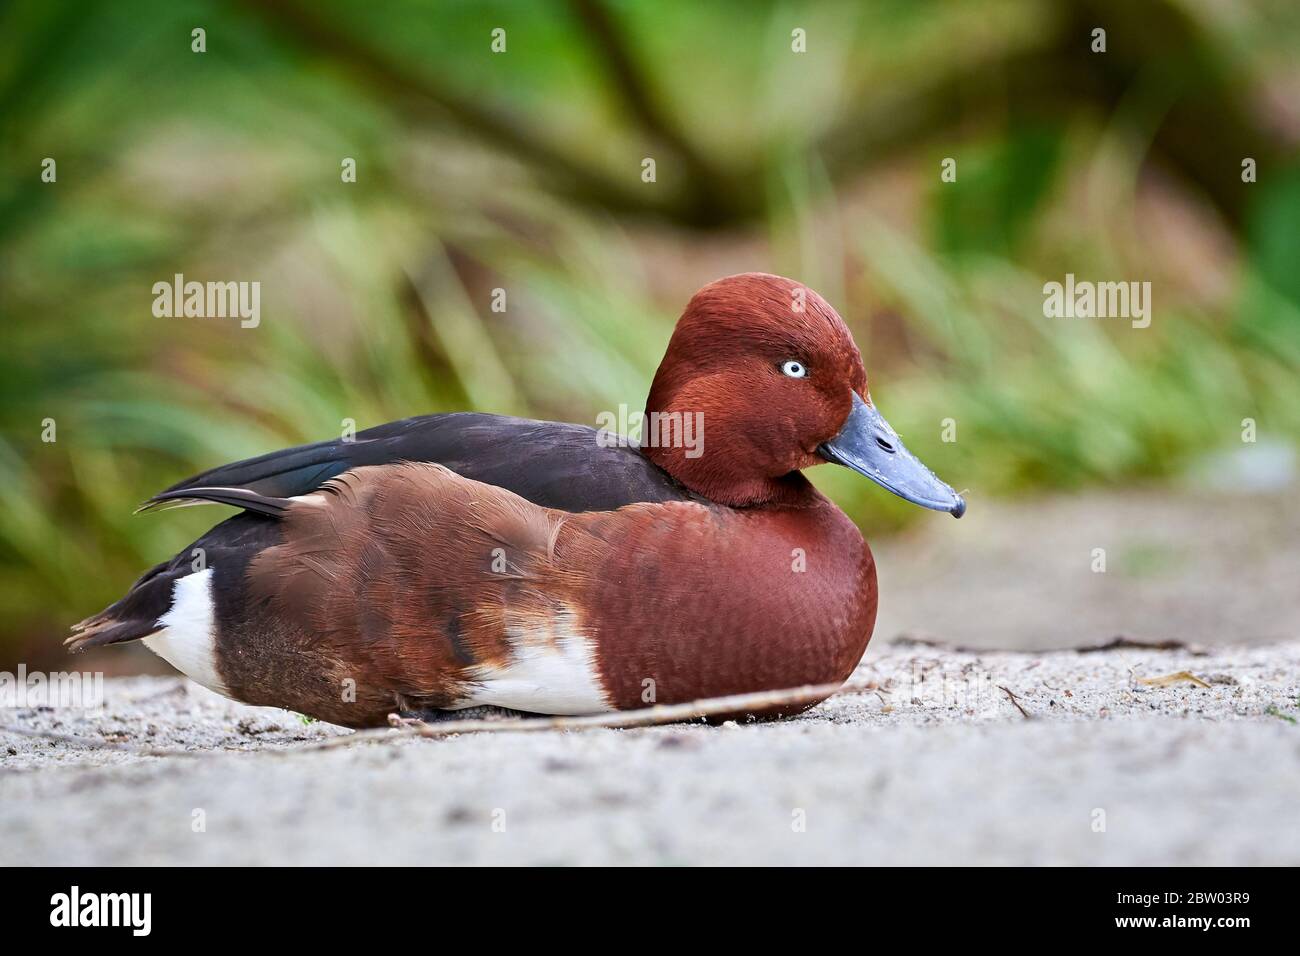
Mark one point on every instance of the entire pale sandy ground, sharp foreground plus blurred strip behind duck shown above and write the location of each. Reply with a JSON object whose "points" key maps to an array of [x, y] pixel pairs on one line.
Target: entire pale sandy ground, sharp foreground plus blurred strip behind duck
{"points": [[937, 764]]}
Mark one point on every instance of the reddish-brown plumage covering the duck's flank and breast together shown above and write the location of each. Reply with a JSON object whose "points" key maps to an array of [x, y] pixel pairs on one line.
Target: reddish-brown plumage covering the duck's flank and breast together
{"points": [[388, 579]]}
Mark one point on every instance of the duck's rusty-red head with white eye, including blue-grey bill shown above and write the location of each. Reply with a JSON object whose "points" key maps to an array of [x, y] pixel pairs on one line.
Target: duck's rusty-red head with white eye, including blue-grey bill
{"points": [[761, 380]]}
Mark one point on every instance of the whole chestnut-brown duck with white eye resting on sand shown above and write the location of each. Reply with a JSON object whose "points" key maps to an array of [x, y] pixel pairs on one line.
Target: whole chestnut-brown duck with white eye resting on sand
{"points": [[463, 564]]}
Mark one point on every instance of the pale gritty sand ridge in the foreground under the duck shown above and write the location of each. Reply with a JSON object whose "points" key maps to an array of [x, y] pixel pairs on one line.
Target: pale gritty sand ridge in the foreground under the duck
{"points": [[935, 765]]}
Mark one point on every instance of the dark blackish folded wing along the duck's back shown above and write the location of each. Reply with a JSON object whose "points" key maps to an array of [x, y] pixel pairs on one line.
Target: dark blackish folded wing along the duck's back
{"points": [[551, 464]]}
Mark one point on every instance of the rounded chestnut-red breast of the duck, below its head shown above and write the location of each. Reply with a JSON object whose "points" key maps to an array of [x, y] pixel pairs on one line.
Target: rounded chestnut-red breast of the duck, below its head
{"points": [[688, 602]]}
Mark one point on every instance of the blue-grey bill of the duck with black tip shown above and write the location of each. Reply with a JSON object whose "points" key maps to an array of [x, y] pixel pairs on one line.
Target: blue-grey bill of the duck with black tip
{"points": [[870, 447]]}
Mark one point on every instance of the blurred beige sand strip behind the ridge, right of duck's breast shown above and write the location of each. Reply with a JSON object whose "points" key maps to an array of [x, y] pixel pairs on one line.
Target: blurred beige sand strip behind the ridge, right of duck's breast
{"points": [[1201, 568]]}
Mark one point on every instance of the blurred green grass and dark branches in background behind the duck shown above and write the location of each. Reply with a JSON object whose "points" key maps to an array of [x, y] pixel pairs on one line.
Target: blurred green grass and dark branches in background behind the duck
{"points": [[522, 172]]}
